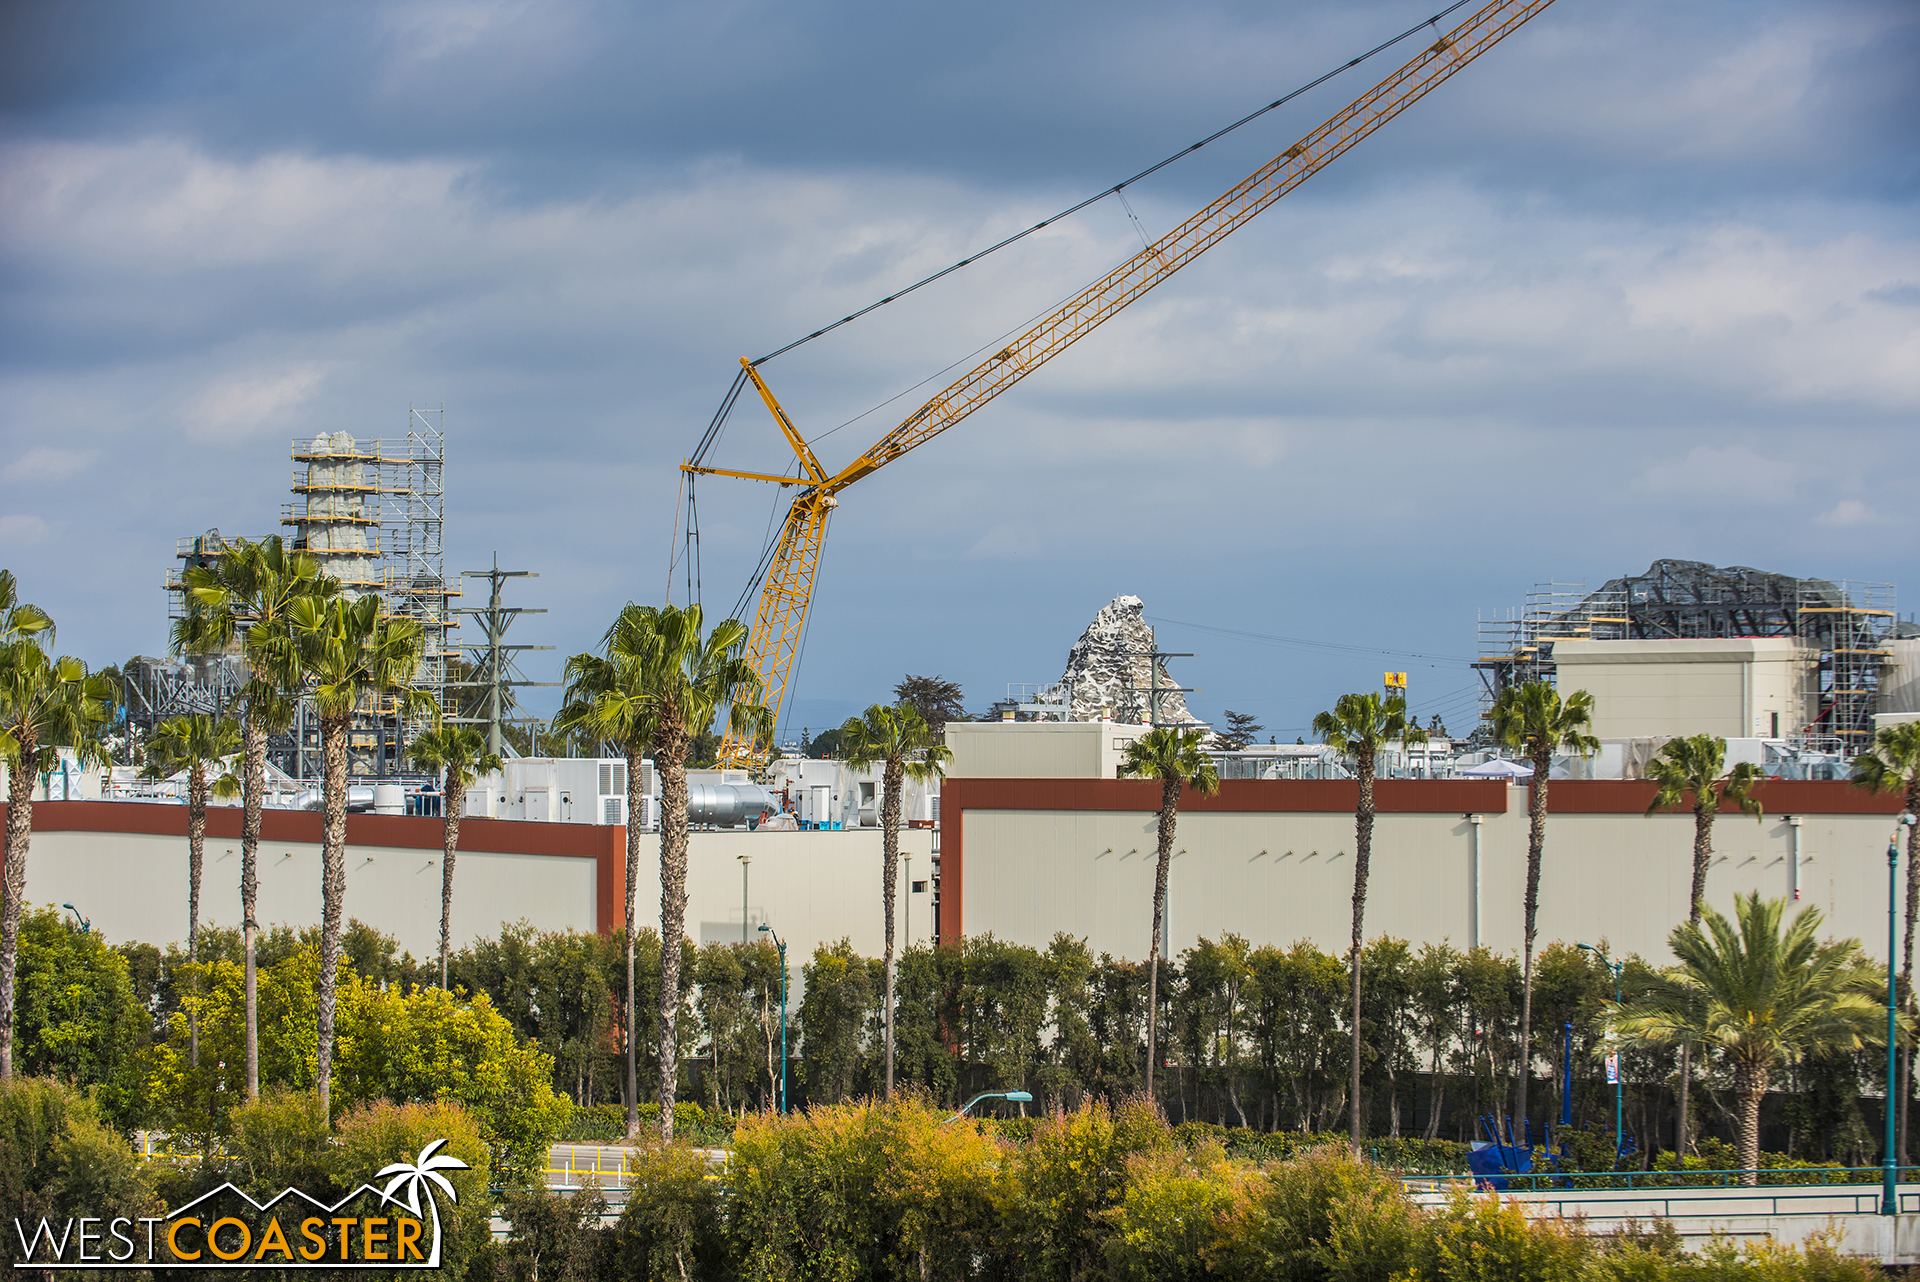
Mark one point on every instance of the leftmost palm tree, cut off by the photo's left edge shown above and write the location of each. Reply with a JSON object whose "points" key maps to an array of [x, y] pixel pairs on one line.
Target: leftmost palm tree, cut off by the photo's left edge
{"points": [[45, 705]]}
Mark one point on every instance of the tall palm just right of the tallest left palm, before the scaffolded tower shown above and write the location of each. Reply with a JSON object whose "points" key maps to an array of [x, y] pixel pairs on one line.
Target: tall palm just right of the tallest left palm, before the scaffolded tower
{"points": [[352, 659]]}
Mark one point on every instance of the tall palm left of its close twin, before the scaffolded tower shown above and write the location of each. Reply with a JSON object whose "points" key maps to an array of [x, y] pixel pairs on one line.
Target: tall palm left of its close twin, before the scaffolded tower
{"points": [[241, 602]]}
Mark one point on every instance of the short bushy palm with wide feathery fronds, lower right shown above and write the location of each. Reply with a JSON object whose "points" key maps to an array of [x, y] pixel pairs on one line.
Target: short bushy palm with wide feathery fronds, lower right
{"points": [[1762, 997]]}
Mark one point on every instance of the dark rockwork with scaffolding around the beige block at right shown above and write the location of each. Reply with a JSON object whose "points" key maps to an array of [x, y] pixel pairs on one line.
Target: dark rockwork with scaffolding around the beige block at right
{"points": [[1844, 627]]}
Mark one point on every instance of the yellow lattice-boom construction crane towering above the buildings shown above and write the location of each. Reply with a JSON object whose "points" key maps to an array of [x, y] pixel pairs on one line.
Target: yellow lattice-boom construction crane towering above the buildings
{"points": [[790, 577]]}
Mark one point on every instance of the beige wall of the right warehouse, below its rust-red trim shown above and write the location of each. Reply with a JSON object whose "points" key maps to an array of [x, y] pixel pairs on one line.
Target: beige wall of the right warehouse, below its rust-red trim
{"points": [[1282, 878]]}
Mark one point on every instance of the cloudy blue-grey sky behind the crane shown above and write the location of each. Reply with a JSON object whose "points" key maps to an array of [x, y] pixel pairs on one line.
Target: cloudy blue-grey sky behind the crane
{"points": [[1641, 283]]}
